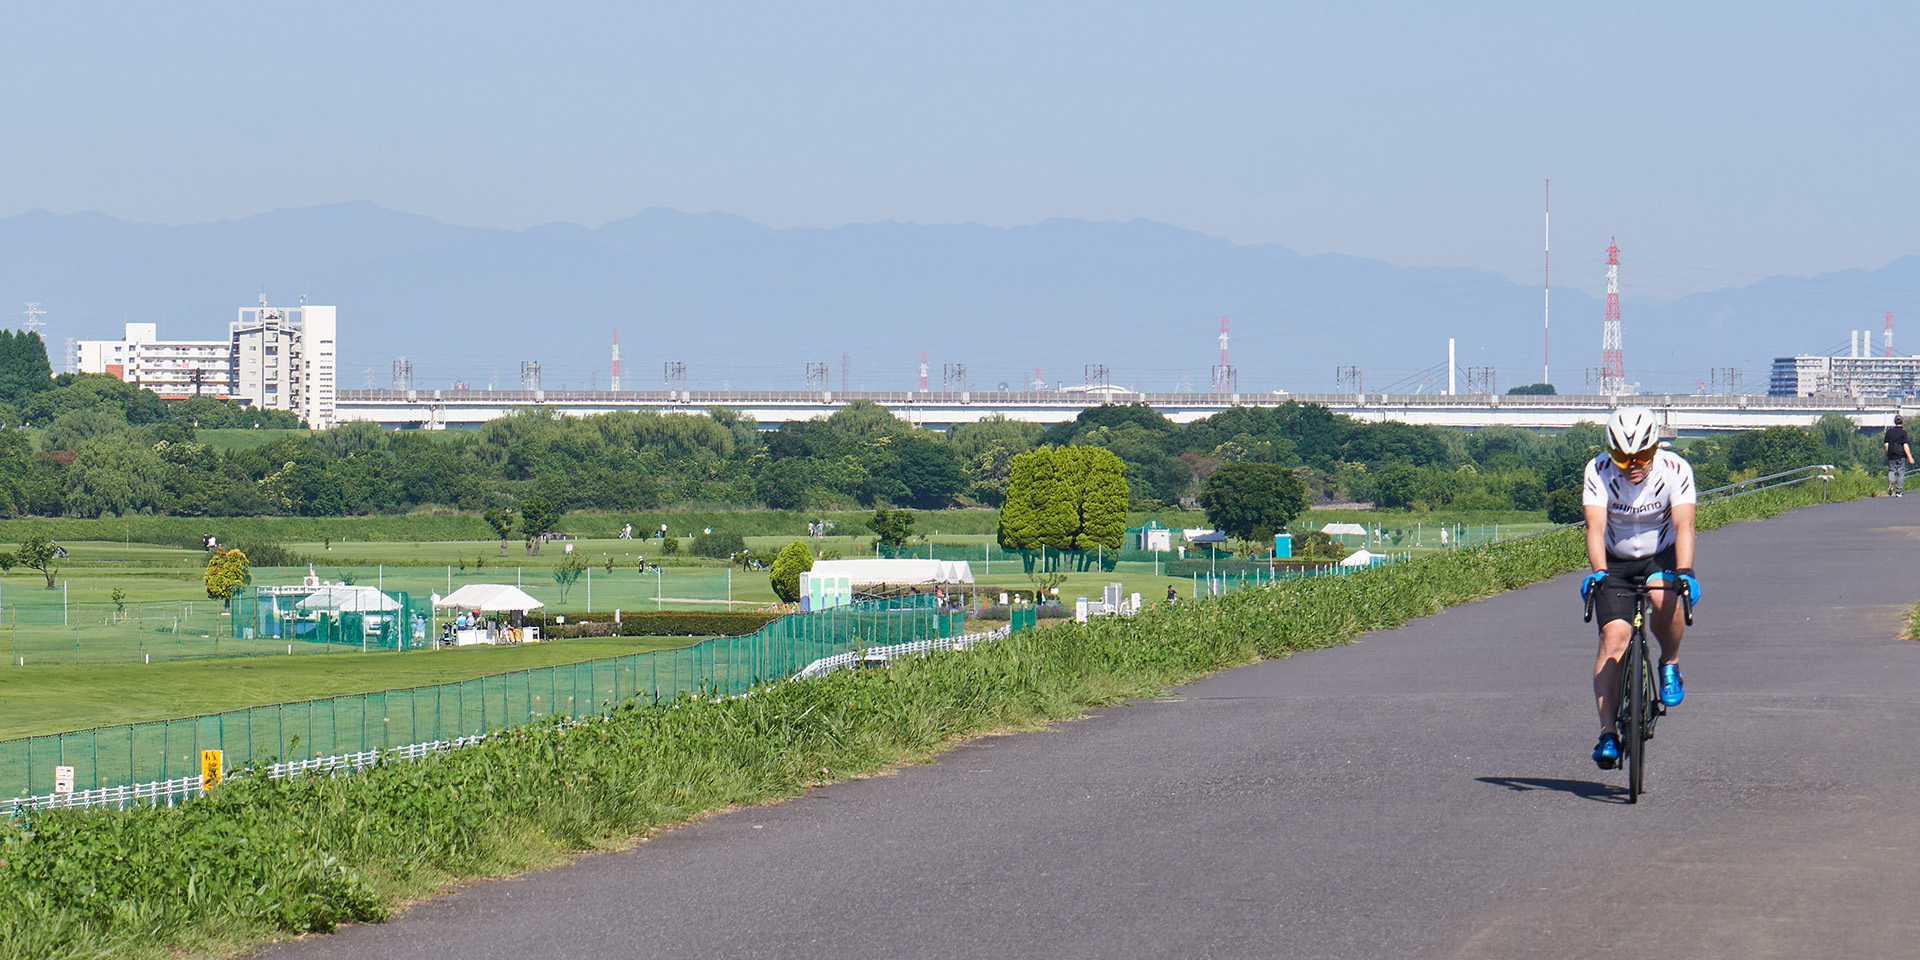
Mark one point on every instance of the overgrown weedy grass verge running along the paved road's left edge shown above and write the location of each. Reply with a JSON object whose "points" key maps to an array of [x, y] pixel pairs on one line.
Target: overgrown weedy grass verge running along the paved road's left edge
{"points": [[266, 859]]}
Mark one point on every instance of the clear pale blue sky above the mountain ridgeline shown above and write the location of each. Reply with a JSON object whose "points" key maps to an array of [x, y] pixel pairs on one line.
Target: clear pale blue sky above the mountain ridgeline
{"points": [[1717, 141]]}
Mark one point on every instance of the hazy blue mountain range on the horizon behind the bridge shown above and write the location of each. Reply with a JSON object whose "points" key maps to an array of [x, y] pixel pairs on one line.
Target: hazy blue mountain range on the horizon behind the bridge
{"points": [[750, 306]]}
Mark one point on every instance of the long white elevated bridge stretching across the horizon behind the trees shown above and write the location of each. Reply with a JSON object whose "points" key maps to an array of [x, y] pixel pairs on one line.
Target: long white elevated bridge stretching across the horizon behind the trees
{"points": [[1681, 414]]}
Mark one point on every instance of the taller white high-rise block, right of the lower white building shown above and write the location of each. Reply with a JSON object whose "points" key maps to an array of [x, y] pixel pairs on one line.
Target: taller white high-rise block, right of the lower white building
{"points": [[285, 360]]}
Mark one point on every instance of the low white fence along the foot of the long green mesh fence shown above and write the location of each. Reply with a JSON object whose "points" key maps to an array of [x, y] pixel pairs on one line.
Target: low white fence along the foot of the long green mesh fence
{"points": [[181, 790]]}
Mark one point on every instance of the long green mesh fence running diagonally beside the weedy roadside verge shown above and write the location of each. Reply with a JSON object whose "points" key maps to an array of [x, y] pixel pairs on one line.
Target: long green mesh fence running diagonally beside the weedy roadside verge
{"points": [[166, 750]]}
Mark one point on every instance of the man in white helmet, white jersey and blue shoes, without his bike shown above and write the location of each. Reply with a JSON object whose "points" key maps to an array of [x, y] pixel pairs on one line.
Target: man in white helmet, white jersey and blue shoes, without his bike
{"points": [[1639, 523]]}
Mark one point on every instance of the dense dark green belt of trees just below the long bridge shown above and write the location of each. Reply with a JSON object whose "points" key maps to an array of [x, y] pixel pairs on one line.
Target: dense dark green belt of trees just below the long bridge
{"points": [[110, 448]]}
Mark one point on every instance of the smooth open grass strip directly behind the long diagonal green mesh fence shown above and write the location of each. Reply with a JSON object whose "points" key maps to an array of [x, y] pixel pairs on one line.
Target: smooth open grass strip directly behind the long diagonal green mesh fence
{"points": [[60, 698]]}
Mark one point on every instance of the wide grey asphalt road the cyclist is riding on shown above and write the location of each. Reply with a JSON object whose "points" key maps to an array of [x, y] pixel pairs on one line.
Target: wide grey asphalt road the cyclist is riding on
{"points": [[1420, 794]]}
